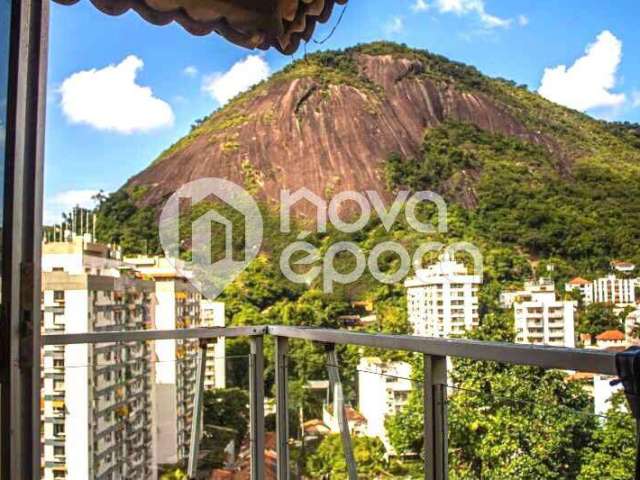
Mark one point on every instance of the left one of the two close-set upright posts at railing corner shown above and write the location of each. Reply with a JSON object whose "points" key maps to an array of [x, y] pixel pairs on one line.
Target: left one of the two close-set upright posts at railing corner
{"points": [[256, 393]]}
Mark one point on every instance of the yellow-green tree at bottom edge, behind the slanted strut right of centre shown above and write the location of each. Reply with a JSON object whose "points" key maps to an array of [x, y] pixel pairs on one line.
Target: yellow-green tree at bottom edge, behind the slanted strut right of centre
{"points": [[328, 460]]}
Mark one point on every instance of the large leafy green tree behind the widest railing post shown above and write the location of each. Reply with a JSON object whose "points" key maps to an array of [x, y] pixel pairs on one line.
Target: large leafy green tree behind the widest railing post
{"points": [[505, 421]]}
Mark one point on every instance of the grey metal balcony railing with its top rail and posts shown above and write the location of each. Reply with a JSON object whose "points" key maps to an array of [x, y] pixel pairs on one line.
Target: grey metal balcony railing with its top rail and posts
{"points": [[435, 353]]}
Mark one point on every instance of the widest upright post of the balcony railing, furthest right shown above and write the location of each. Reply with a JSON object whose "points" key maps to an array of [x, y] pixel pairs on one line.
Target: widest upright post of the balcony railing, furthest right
{"points": [[435, 418]]}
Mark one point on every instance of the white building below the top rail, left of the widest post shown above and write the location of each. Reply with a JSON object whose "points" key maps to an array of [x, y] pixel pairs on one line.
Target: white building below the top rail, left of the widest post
{"points": [[383, 389]]}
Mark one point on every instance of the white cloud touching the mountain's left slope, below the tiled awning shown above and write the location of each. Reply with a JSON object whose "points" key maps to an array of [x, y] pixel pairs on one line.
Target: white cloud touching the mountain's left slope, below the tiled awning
{"points": [[240, 77]]}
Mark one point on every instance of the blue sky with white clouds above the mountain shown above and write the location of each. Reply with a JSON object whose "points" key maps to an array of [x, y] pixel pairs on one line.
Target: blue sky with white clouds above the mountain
{"points": [[120, 90]]}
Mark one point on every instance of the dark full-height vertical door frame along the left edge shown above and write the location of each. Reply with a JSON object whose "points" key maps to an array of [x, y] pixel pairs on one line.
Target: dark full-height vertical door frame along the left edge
{"points": [[26, 31]]}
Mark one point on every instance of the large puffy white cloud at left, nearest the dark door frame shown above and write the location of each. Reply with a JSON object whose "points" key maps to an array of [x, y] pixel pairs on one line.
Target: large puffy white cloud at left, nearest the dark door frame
{"points": [[110, 99]]}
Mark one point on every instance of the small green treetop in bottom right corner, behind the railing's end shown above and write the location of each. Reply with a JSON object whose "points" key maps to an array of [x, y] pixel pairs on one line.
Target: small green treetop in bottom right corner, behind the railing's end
{"points": [[612, 452]]}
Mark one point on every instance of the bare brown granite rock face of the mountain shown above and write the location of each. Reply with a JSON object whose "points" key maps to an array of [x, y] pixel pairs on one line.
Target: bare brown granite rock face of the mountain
{"points": [[327, 137]]}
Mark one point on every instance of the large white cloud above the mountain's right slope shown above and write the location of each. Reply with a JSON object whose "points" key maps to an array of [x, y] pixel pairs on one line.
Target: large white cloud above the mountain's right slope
{"points": [[587, 83]]}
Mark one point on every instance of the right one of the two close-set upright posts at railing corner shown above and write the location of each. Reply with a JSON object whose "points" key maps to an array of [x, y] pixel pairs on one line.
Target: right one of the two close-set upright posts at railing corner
{"points": [[282, 407]]}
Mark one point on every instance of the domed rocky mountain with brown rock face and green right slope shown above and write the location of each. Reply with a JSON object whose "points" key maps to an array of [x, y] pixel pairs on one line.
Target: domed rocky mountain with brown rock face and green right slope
{"points": [[332, 122]]}
